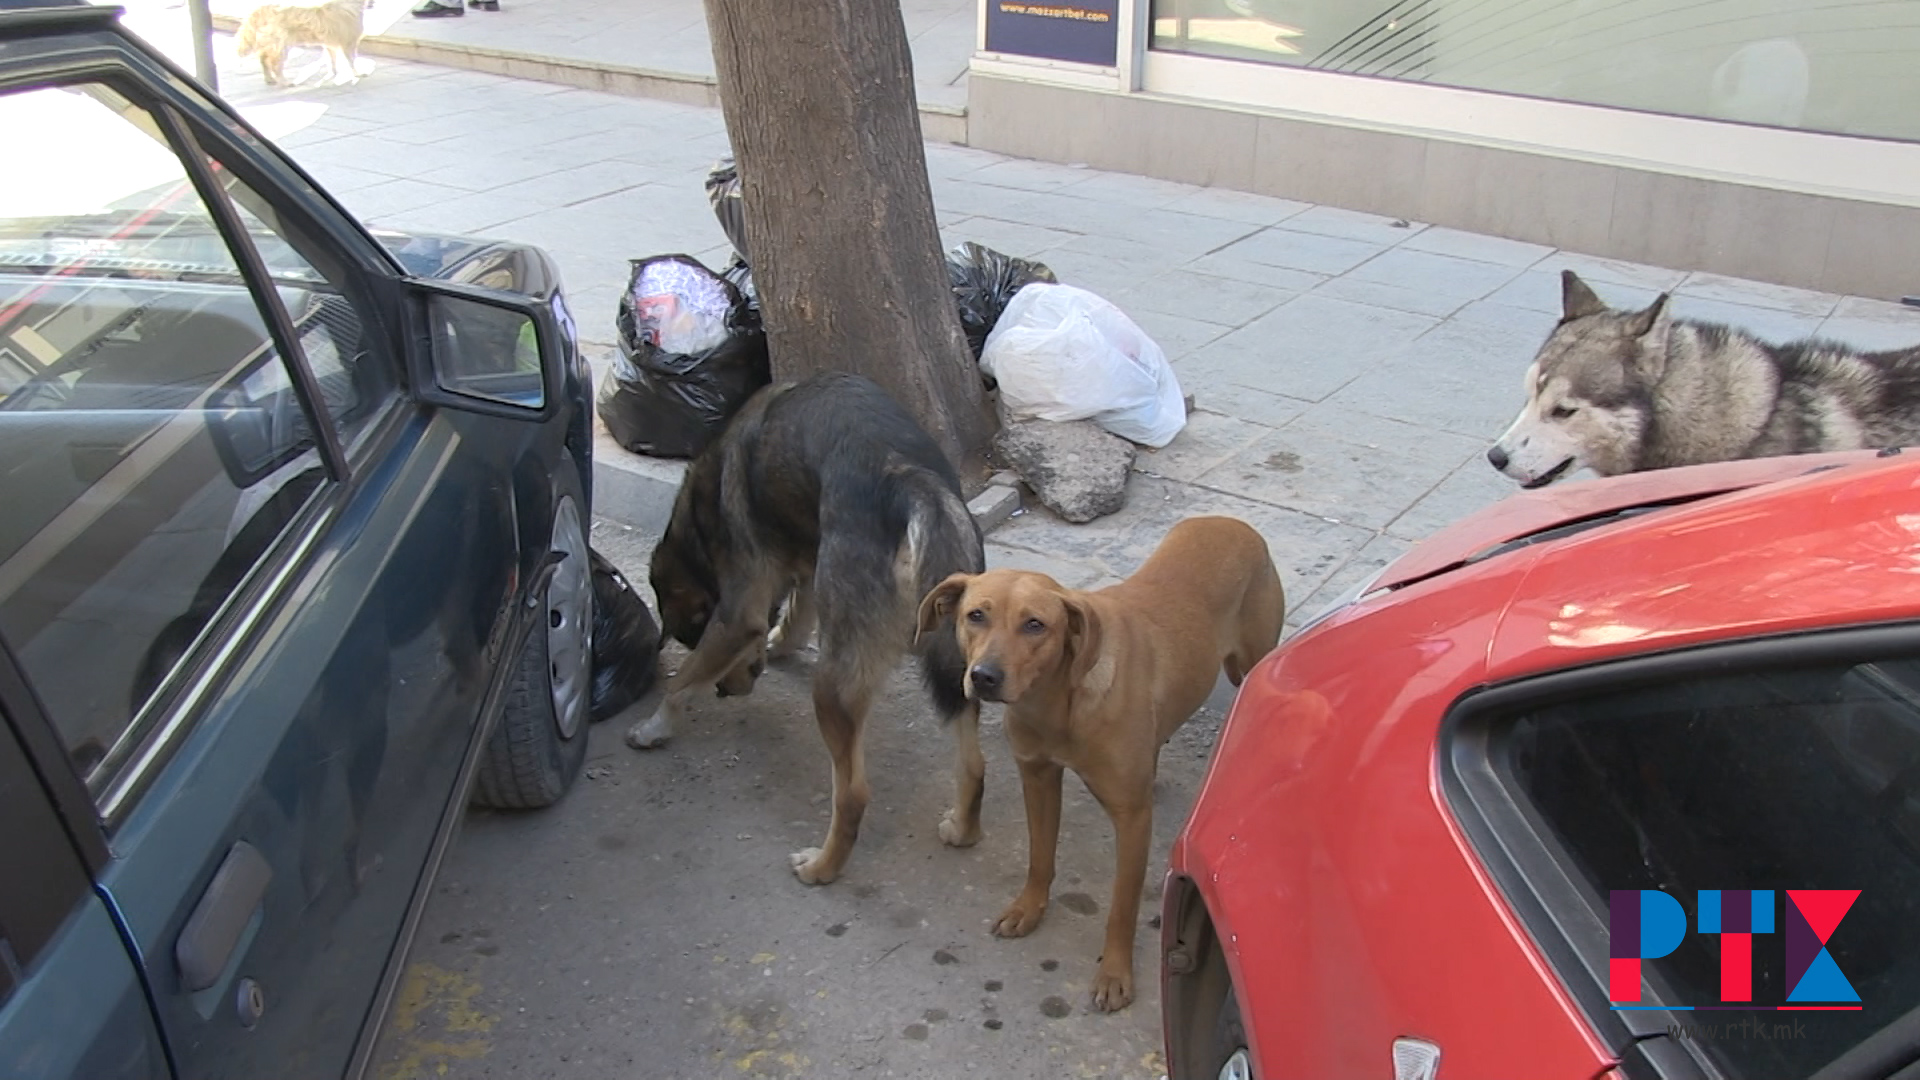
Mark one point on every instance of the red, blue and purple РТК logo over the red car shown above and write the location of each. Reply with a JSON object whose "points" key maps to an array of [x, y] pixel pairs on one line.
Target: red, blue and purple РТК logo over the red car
{"points": [[1646, 925]]}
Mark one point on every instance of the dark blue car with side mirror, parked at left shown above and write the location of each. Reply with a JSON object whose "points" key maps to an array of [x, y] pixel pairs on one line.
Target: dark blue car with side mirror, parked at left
{"points": [[293, 566]]}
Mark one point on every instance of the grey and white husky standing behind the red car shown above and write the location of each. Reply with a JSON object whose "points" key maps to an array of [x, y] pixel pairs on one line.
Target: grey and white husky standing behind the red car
{"points": [[1627, 391]]}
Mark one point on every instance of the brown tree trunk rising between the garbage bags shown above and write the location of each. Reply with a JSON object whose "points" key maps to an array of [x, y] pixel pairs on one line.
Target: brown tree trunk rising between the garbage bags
{"points": [[846, 253]]}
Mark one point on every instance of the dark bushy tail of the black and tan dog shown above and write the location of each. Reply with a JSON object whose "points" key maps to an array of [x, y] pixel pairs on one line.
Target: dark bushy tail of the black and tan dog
{"points": [[940, 539]]}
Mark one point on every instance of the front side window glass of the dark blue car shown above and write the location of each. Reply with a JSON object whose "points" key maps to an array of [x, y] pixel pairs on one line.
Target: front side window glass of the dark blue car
{"points": [[155, 449]]}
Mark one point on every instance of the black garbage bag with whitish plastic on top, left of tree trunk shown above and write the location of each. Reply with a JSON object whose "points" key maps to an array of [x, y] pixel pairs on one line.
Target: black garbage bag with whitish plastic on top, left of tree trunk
{"points": [[692, 353]]}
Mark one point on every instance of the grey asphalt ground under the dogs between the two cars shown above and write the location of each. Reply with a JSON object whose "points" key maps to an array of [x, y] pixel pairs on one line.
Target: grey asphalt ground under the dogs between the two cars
{"points": [[648, 925]]}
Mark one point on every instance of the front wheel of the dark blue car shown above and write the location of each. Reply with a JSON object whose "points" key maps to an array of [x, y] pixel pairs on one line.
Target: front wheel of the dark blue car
{"points": [[540, 743]]}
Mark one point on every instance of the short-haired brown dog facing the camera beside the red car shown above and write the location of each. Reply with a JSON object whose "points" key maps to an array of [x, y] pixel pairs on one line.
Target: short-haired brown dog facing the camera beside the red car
{"points": [[1099, 681]]}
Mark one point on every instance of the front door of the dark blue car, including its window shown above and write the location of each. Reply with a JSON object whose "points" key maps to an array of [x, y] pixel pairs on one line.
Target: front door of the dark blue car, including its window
{"points": [[256, 589]]}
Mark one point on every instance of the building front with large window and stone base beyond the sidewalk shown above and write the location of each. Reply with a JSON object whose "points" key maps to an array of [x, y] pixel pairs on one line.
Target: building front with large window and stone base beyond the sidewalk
{"points": [[1769, 139]]}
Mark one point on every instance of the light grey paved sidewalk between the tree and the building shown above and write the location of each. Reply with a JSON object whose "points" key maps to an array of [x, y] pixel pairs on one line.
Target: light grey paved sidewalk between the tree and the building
{"points": [[1349, 370]]}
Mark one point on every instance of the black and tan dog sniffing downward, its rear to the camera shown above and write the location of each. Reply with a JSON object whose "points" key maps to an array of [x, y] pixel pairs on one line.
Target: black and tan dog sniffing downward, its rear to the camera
{"points": [[830, 497]]}
